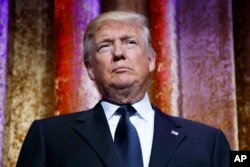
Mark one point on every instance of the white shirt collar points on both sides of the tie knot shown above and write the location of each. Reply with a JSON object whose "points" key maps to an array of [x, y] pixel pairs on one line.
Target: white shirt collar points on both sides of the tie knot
{"points": [[143, 107]]}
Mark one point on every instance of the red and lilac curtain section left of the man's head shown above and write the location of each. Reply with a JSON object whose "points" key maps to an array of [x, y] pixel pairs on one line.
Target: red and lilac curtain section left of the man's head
{"points": [[74, 89]]}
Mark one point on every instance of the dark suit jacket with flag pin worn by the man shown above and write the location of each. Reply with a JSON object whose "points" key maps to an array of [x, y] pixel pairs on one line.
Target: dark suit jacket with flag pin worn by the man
{"points": [[83, 139]]}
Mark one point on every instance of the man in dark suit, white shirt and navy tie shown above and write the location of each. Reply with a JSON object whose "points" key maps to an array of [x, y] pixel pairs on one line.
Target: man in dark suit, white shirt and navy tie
{"points": [[119, 57]]}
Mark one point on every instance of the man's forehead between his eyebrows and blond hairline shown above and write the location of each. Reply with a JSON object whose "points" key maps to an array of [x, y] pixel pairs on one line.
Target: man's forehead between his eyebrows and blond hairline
{"points": [[111, 28]]}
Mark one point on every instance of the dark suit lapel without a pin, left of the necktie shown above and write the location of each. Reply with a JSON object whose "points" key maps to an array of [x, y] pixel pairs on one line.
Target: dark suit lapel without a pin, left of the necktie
{"points": [[94, 128]]}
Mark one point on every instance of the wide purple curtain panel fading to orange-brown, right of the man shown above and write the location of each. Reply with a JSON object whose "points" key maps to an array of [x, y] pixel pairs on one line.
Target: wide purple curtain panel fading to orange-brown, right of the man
{"points": [[206, 64]]}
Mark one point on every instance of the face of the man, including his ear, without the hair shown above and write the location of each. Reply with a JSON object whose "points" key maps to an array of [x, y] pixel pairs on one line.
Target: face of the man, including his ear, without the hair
{"points": [[119, 57]]}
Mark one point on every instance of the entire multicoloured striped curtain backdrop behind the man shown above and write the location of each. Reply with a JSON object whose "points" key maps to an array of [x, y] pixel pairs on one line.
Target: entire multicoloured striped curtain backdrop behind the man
{"points": [[202, 64]]}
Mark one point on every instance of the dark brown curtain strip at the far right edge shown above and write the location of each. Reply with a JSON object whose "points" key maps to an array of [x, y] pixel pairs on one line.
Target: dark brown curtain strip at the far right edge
{"points": [[242, 59]]}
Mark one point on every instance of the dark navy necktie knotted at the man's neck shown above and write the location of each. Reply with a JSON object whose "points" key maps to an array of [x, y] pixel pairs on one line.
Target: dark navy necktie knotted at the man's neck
{"points": [[127, 142]]}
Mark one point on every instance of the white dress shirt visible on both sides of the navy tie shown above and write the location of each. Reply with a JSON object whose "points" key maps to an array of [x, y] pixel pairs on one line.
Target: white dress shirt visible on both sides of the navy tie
{"points": [[143, 121]]}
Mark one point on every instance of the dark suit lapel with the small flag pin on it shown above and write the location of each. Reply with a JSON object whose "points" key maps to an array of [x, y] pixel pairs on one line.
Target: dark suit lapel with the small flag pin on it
{"points": [[167, 137]]}
